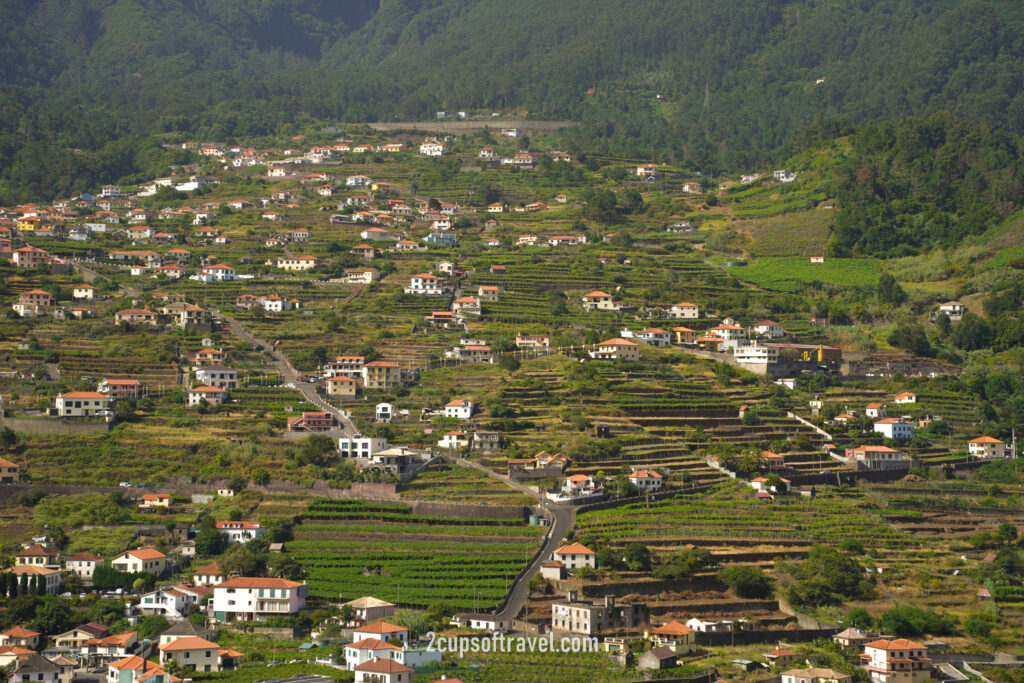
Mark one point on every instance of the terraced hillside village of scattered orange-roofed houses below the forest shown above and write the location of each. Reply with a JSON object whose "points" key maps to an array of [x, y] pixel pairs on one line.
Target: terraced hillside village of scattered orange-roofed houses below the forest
{"points": [[300, 404]]}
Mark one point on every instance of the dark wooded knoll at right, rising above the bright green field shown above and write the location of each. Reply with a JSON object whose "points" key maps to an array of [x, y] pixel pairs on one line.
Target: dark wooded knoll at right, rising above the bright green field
{"points": [[924, 183]]}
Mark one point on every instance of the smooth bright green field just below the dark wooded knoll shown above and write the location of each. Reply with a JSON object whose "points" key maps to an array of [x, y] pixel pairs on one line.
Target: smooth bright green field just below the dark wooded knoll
{"points": [[793, 274]]}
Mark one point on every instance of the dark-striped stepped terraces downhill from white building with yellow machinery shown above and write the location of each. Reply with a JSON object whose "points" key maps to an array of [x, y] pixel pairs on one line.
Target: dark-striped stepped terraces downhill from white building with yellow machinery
{"points": [[659, 418]]}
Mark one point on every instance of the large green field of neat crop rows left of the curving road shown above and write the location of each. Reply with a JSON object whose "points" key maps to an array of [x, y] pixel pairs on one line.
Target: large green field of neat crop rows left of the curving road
{"points": [[353, 548]]}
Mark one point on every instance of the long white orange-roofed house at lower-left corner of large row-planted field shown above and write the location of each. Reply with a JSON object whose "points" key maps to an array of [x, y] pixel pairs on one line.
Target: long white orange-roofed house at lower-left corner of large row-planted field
{"points": [[253, 600]]}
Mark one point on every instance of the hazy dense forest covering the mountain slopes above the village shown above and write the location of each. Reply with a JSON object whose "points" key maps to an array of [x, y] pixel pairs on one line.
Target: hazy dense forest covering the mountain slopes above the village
{"points": [[742, 78]]}
